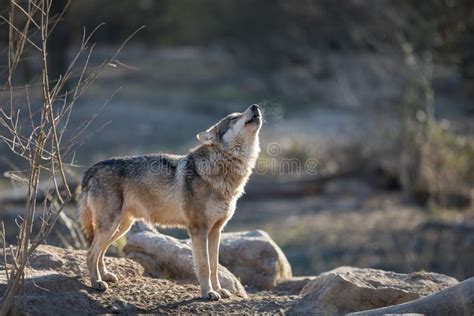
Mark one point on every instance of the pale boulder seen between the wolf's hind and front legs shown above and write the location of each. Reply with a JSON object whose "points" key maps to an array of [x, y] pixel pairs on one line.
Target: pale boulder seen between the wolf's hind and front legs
{"points": [[168, 257]]}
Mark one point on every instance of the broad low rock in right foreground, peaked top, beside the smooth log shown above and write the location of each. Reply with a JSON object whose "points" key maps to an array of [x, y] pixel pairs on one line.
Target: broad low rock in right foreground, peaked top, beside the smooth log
{"points": [[346, 289]]}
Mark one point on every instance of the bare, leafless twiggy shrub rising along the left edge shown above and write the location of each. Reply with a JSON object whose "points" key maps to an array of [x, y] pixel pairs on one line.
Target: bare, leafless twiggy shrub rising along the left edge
{"points": [[41, 146]]}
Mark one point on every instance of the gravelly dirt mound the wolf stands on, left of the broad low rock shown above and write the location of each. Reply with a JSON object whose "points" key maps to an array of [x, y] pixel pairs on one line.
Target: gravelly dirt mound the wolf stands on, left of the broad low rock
{"points": [[59, 284]]}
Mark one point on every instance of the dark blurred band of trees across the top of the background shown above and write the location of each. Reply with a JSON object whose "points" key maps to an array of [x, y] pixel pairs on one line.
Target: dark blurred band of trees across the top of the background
{"points": [[265, 35]]}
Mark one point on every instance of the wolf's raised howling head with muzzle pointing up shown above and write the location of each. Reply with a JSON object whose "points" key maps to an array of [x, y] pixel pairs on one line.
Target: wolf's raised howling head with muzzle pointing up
{"points": [[236, 130]]}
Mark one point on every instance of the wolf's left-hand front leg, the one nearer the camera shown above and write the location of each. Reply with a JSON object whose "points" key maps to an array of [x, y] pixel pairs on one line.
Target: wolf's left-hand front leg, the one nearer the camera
{"points": [[201, 258]]}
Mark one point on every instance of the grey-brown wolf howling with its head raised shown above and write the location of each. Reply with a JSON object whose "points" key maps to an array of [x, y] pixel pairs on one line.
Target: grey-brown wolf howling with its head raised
{"points": [[197, 191]]}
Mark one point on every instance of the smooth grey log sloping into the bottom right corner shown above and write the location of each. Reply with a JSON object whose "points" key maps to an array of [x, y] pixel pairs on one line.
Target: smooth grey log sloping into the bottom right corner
{"points": [[455, 300]]}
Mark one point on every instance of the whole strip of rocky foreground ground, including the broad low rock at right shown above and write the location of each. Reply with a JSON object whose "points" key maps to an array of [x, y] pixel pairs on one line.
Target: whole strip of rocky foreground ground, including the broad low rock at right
{"points": [[57, 284]]}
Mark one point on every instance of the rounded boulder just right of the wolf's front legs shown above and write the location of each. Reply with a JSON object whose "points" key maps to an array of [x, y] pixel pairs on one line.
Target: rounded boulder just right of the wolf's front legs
{"points": [[254, 258]]}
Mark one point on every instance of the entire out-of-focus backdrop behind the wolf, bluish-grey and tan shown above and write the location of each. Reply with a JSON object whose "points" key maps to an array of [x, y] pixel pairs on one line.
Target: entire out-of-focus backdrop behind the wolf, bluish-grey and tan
{"points": [[368, 146]]}
